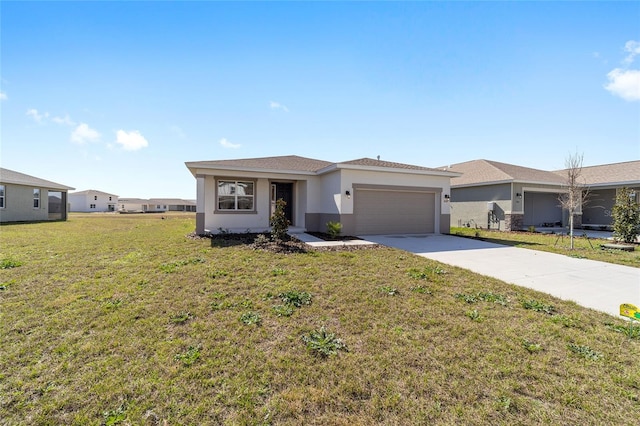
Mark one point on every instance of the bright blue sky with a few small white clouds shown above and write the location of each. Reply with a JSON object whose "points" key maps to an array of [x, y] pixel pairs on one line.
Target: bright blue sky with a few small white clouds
{"points": [[116, 96]]}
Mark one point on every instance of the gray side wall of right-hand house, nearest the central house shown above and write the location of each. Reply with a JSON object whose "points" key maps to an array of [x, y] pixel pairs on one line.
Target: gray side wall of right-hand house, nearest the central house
{"points": [[469, 206]]}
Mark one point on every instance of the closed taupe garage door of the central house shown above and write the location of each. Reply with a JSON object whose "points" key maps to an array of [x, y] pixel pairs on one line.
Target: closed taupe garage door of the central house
{"points": [[393, 212]]}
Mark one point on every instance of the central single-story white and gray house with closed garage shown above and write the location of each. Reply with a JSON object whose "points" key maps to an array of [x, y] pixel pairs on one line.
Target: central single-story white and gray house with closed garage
{"points": [[366, 196]]}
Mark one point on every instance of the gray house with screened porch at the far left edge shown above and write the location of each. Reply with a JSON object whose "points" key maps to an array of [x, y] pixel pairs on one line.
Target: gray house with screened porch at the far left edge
{"points": [[25, 198]]}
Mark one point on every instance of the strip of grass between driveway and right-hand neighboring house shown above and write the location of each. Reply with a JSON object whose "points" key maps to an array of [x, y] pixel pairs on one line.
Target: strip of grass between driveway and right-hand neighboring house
{"points": [[583, 248]]}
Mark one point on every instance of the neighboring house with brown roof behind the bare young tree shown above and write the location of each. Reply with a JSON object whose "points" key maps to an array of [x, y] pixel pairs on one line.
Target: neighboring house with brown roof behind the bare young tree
{"points": [[494, 195]]}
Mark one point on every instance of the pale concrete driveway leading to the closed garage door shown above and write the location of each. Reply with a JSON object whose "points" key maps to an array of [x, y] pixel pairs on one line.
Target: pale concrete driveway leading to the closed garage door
{"points": [[597, 285]]}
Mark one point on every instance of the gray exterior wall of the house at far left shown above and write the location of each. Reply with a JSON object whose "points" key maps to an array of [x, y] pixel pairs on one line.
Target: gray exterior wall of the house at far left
{"points": [[19, 204]]}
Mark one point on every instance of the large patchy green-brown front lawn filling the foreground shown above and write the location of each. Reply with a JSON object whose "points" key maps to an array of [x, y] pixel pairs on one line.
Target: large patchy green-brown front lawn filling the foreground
{"points": [[109, 319]]}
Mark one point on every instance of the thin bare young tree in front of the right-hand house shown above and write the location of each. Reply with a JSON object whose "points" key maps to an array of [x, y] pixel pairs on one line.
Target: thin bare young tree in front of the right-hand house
{"points": [[574, 193]]}
